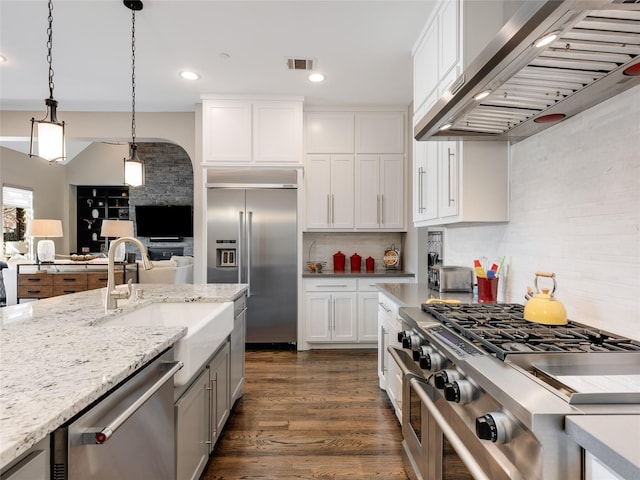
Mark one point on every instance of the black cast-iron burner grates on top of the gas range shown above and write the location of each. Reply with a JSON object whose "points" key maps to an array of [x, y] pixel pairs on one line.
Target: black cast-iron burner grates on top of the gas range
{"points": [[502, 330]]}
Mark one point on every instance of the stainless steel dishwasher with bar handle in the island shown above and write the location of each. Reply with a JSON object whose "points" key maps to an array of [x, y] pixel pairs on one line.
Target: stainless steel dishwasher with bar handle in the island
{"points": [[128, 434]]}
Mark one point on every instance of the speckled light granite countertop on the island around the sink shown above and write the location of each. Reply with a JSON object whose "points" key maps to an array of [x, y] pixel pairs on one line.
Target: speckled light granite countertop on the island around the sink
{"points": [[55, 359]]}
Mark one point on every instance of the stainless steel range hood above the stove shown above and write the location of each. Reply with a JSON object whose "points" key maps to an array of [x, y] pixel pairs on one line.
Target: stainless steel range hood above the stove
{"points": [[595, 56]]}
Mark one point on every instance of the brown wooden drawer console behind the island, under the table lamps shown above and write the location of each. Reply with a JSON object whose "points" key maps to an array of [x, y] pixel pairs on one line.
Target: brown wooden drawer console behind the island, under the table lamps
{"points": [[53, 279]]}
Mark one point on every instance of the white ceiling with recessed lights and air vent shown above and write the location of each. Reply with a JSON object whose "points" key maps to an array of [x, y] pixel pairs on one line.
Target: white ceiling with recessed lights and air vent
{"points": [[363, 47]]}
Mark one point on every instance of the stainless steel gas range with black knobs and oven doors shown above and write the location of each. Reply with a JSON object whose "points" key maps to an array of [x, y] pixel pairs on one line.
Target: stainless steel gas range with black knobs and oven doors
{"points": [[486, 393]]}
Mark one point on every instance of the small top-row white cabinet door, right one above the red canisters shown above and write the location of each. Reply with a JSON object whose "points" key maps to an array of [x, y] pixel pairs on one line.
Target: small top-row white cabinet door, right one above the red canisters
{"points": [[380, 132]]}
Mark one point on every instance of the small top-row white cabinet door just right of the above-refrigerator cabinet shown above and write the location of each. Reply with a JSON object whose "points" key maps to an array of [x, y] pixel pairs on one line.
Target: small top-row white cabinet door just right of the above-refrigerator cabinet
{"points": [[329, 132]]}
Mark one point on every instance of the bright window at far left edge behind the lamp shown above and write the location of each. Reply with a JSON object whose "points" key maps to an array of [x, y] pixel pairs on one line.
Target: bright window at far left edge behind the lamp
{"points": [[17, 210]]}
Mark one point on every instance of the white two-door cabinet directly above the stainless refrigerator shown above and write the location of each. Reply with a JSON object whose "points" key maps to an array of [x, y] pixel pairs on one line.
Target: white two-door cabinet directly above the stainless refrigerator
{"points": [[247, 131]]}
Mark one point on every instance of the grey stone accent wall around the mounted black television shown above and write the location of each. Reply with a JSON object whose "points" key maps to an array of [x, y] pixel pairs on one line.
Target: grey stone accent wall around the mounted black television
{"points": [[169, 181]]}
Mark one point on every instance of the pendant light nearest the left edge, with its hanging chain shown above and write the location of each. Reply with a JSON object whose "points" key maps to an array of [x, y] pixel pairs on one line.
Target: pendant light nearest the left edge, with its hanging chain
{"points": [[48, 133]]}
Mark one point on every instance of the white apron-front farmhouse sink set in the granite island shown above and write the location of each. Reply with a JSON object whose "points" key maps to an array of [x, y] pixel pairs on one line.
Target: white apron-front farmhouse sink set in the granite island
{"points": [[208, 324]]}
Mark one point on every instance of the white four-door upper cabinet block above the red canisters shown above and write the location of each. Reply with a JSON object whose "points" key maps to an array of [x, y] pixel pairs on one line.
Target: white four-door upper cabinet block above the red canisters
{"points": [[378, 141]]}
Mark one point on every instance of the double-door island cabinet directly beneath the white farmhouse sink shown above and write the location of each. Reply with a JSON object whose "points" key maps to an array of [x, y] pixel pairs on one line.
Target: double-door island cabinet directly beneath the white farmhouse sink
{"points": [[200, 415]]}
